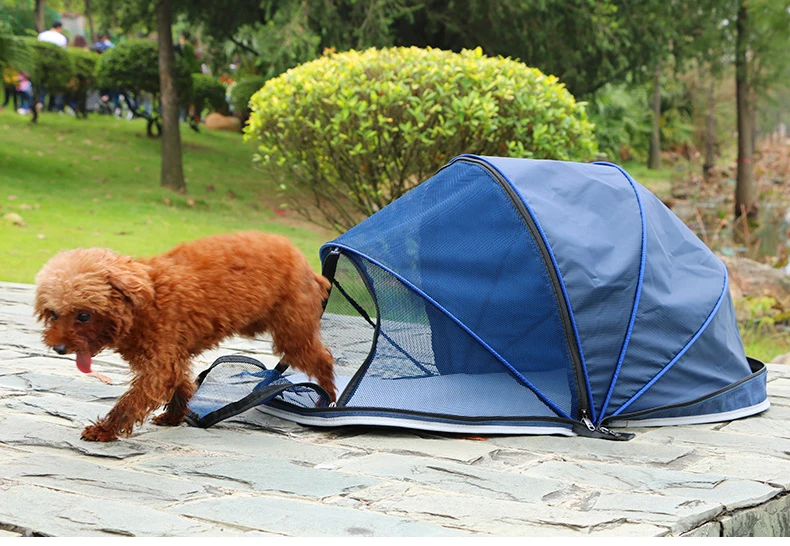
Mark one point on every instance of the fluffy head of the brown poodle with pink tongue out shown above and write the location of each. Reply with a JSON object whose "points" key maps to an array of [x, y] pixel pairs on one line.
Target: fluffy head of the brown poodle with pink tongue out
{"points": [[87, 299]]}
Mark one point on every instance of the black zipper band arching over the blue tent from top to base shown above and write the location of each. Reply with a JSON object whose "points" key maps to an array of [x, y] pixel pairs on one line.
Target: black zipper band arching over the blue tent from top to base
{"points": [[573, 351]]}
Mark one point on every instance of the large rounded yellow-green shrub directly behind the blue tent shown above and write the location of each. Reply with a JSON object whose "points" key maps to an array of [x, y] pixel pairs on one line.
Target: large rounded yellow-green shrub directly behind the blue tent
{"points": [[352, 132]]}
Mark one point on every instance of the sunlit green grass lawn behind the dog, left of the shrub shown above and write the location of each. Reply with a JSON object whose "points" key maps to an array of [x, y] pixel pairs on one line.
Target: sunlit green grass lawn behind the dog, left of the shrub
{"points": [[95, 182]]}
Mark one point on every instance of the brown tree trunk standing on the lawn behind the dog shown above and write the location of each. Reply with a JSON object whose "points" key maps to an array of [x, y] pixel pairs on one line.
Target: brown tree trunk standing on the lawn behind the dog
{"points": [[172, 167]]}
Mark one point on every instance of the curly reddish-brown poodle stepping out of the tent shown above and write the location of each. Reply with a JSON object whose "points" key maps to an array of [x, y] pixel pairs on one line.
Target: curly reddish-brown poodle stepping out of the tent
{"points": [[160, 312]]}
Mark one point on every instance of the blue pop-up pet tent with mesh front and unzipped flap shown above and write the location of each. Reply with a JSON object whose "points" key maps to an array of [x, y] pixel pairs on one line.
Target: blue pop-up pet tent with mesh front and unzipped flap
{"points": [[519, 296]]}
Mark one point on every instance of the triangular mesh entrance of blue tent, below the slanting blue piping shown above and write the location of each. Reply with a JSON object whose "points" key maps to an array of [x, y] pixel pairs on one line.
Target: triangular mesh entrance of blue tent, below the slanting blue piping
{"points": [[422, 360]]}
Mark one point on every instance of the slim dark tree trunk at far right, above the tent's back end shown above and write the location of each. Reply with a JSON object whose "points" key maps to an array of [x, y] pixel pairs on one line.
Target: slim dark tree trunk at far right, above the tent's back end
{"points": [[745, 187]]}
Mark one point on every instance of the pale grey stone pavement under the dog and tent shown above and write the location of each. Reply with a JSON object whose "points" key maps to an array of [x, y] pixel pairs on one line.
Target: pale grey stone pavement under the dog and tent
{"points": [[259, 475]]}
